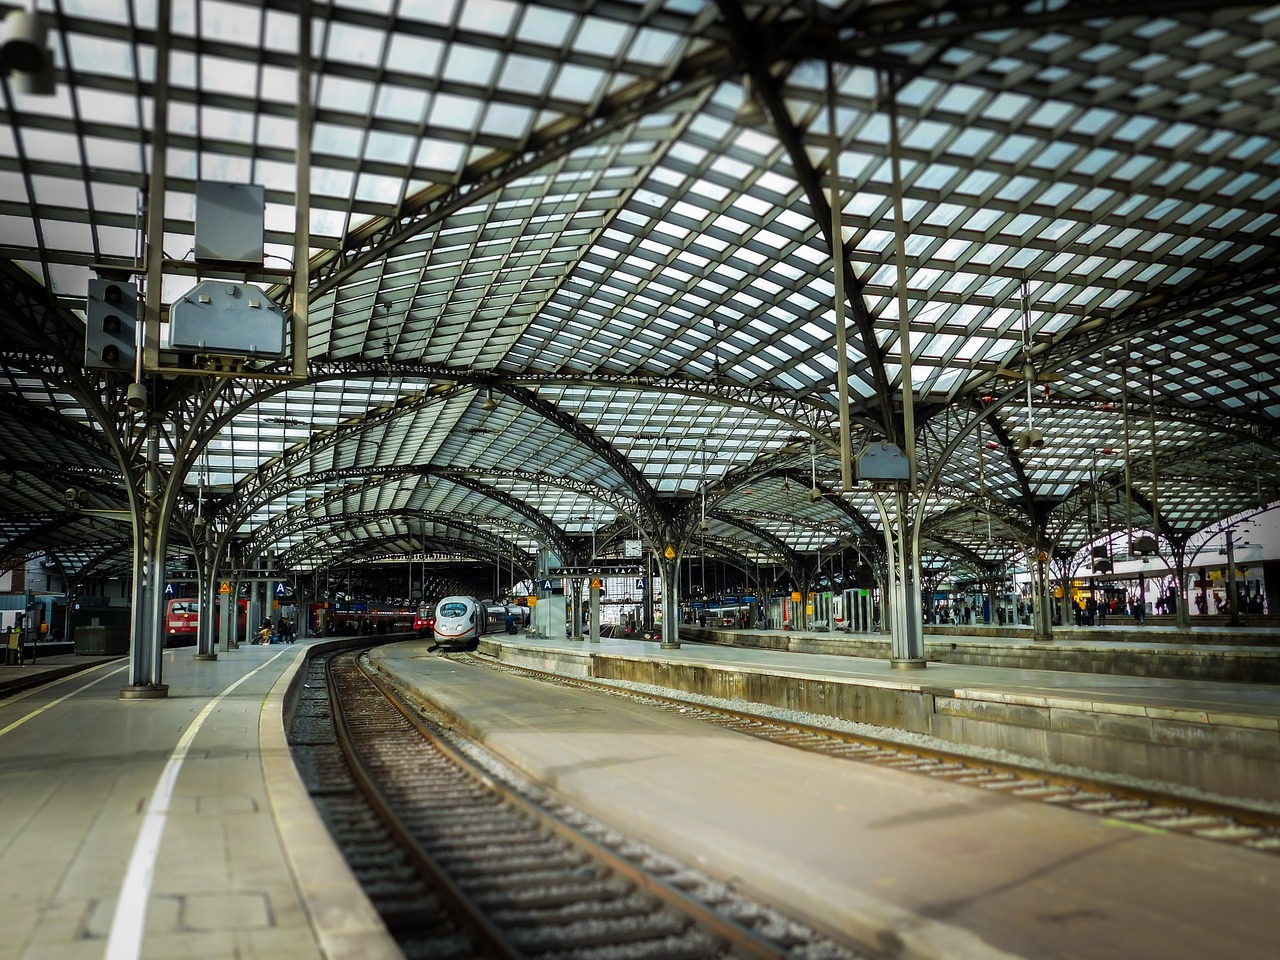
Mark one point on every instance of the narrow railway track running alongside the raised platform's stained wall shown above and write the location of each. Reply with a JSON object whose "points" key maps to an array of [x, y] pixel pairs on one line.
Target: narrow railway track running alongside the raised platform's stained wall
{"points": [[1128, 804]]}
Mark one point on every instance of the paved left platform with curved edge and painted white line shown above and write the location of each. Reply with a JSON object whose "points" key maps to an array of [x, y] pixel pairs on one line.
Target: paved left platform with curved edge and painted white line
{"points": [[168, 829]]}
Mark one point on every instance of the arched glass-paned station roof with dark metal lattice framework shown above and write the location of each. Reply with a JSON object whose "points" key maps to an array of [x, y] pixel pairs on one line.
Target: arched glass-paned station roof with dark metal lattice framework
{"points": [[569, 276]]}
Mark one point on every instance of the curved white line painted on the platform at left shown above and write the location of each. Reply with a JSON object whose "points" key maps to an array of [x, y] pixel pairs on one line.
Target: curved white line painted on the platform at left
{"points": [[131, 909]]}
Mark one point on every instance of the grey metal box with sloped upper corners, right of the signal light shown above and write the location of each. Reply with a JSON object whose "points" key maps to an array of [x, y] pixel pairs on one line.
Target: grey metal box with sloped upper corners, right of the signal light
{"points": [[227, 319]]}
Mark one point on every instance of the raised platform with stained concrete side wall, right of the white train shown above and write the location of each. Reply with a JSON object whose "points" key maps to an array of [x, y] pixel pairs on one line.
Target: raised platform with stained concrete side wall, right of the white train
{"points": [[1217, 738]]}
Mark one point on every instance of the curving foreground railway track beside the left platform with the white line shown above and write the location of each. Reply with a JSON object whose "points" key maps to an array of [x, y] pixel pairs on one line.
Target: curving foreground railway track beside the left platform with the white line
{"points": [[463, 863]]}
